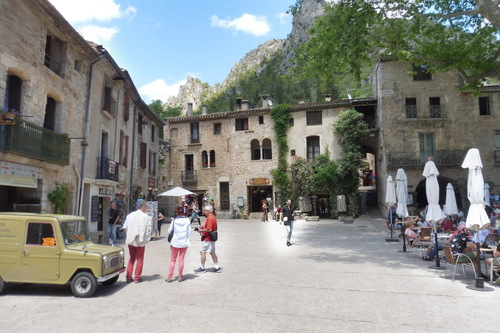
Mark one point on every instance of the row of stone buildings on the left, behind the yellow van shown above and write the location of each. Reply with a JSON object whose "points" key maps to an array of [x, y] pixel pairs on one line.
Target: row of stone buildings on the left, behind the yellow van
{"points": [[80, 119]]}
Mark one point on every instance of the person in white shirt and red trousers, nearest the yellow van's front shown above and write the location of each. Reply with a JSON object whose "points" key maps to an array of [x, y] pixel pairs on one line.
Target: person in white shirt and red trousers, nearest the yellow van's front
{"points": [[138, 227]]}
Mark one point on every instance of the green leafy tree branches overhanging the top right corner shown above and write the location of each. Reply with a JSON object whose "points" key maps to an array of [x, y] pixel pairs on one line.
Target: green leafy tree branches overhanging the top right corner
{"points": [[445, 35]]}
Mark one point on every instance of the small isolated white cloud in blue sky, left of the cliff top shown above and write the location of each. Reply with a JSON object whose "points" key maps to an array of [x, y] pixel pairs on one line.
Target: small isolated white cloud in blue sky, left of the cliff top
{"points": [[247, 23]]}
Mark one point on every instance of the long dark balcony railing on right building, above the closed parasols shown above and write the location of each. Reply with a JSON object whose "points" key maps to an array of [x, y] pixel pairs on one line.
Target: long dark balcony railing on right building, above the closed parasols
{"points": [[440, 157]]}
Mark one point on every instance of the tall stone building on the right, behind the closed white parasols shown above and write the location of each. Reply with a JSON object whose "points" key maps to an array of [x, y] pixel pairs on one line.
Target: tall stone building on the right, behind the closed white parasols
{"points": [[428, 115]]}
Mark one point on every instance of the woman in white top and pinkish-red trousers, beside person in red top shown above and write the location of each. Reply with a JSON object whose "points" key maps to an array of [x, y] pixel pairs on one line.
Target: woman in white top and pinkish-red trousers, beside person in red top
{"points": [[179, 243]]}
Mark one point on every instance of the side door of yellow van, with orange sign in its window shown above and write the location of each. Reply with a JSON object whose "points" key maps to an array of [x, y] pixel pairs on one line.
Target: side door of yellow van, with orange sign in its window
{"points": [[41, 253]]}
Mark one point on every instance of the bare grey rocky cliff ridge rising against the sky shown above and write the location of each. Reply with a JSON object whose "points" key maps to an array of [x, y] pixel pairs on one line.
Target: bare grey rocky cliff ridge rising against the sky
{"points": [[195, 91]]}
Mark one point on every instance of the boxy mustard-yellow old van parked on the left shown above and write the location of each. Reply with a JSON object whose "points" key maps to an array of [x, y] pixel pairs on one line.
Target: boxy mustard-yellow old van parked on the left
{"points": [[55, 249]]}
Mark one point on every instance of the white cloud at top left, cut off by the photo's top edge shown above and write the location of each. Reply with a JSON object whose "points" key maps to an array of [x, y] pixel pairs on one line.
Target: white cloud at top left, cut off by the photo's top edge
{"points": [[85, 11]]}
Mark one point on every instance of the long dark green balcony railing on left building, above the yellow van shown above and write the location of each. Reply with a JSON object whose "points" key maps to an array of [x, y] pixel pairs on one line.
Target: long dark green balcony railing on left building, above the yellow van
{"points": [[27, 139]]}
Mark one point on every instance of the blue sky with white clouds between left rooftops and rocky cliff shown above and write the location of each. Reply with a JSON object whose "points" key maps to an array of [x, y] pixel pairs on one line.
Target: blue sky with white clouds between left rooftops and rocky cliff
{"points": [[161, 42]]}
